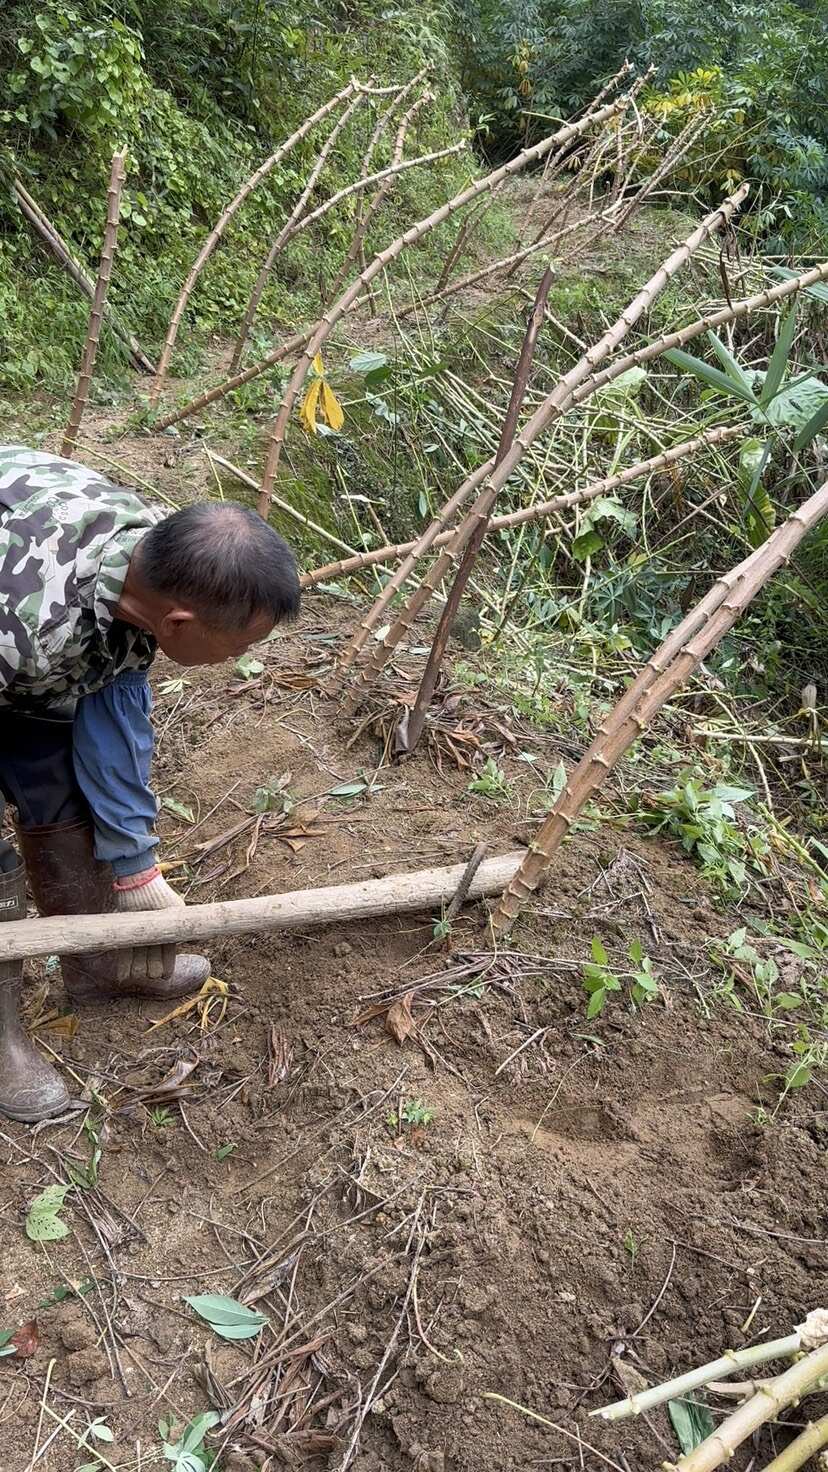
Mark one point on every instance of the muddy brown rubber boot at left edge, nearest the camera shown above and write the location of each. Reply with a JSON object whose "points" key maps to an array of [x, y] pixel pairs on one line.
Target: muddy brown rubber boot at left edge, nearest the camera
{"points": [[30, 1087]]}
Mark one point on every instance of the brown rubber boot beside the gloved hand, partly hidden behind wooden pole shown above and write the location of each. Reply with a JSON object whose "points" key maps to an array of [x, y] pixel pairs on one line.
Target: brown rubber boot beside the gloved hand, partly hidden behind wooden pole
{"points": [[67, 880]]}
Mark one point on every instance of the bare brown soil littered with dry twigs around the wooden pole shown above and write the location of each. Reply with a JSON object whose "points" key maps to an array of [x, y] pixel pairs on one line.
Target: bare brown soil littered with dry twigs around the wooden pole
{"points": [[589, 1211]]}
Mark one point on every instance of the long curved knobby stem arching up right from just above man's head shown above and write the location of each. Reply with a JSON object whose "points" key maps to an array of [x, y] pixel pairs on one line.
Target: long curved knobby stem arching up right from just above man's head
{"points": [[384, 258]]}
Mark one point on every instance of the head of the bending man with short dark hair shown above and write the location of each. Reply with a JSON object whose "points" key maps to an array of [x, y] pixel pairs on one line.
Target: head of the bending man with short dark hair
{"points": [[208, 582]]}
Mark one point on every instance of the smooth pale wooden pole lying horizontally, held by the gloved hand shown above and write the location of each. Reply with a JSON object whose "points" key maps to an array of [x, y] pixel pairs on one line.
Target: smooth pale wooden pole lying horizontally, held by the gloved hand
{"points": [[424, 890]]}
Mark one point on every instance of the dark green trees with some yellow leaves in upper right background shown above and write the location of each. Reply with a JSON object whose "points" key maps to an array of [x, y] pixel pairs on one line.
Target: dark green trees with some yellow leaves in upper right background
{"points": [[758, 68]]}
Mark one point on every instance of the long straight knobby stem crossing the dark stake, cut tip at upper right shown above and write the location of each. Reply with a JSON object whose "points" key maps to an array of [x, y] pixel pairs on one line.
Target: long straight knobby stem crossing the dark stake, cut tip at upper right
{"points": [[493, 481]]}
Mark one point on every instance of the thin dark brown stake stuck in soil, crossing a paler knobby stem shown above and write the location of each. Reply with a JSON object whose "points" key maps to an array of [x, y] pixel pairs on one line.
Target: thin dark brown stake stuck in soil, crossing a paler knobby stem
{"points": [[412, 725]]}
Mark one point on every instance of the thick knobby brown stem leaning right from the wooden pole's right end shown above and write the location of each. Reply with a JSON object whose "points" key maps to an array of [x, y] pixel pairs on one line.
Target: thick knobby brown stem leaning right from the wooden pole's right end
{"points": [[661, 678]]}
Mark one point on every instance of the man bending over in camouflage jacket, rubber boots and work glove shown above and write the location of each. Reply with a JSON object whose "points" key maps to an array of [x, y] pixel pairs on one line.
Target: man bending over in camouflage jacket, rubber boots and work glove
{"points": [[94, 581]]}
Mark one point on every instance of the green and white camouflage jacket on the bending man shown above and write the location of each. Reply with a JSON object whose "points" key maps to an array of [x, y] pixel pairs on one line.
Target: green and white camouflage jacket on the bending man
{"points": [[67, 537]]}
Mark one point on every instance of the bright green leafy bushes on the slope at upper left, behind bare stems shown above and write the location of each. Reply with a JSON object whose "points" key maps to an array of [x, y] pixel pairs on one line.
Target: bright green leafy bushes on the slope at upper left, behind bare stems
{"points": [[200, 92]]}
